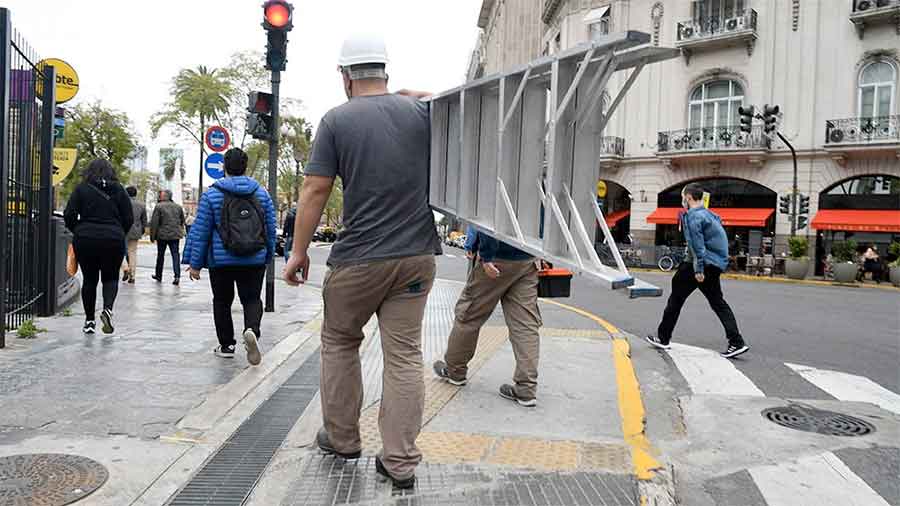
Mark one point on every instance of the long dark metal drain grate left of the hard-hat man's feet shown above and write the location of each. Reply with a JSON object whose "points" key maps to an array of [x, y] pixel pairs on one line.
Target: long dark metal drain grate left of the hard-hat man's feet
{"points": [[229, 476]]}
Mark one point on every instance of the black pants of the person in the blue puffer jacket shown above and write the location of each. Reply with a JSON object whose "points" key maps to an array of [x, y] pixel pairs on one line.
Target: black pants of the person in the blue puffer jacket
{"points": [[249, 280]]}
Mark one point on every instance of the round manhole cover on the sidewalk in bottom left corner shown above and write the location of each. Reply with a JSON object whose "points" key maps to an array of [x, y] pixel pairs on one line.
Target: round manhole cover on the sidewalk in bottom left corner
{"points": [[48, 479]]}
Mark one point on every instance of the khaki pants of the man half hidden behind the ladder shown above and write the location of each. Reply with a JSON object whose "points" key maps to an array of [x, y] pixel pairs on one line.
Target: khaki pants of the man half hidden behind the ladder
{"points": [[516, 290]]}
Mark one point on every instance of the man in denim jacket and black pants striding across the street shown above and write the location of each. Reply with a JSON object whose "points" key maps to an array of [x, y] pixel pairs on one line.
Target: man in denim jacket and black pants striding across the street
{"points": [[707, 258]]}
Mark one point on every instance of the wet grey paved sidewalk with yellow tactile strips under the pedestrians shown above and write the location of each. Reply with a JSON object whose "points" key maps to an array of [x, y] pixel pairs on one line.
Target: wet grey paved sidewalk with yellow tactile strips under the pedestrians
{"points": [[172, 424]]}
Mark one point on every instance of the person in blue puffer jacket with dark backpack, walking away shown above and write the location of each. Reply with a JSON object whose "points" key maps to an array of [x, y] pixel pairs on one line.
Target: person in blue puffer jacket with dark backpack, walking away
{"points": [[241, 209]]}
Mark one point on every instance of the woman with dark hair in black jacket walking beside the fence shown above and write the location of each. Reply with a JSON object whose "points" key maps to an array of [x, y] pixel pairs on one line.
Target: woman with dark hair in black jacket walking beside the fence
{"points": [[99, 215]]}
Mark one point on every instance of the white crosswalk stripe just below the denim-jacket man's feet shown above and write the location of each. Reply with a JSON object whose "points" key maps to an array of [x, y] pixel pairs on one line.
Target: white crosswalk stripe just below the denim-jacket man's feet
{"points": [[707, 372]]}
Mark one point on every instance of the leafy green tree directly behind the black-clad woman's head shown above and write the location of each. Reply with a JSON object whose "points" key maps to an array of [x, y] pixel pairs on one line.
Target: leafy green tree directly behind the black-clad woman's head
{"points": [[97, 132]]}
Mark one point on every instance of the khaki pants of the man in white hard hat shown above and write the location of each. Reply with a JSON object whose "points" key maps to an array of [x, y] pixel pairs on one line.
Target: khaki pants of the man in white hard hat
{"points": [[396, 291]]}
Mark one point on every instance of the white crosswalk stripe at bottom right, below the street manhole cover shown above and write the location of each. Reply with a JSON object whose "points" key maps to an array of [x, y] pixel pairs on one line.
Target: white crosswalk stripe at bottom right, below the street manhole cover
{"points": [[814, 481]]}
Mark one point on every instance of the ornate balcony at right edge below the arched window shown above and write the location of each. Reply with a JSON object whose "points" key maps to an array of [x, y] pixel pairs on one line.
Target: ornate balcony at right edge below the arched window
{"points": [[860, 136]]}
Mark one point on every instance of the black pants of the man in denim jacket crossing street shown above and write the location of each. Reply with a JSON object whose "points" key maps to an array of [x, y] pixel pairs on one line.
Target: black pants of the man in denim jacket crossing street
{"points": [[683, 285]]}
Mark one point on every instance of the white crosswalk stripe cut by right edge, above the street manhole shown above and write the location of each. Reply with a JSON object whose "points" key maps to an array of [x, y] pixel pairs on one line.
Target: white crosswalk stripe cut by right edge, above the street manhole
{"points": [[849, 387]]}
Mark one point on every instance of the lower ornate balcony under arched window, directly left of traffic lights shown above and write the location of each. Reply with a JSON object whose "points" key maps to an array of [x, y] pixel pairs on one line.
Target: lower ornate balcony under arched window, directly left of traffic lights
{"points": [[712, 144]]}
